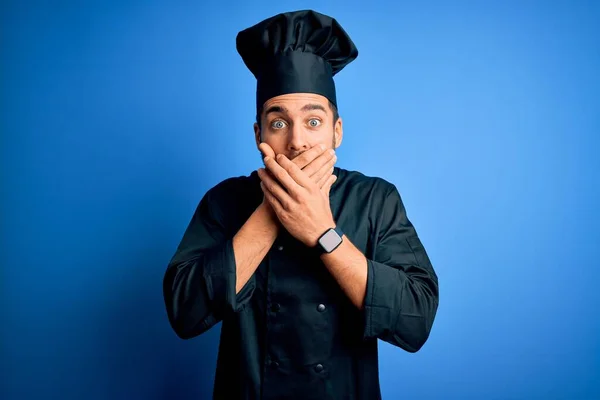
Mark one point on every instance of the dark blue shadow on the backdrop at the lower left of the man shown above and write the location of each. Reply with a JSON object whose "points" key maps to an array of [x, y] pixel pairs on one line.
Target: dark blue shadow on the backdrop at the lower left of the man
{"points": [[141, 356]]}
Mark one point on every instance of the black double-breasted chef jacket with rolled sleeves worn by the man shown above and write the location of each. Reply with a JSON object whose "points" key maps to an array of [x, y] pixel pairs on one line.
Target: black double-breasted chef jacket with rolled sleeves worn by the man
{"points": [[291, 332]]}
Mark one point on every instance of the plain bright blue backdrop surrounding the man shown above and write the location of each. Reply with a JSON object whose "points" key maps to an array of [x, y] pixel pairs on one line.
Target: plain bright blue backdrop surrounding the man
{"points": [[118, 116]]}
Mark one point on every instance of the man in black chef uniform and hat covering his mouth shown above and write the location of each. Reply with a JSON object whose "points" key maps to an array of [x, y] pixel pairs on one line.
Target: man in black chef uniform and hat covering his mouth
{"points": [[306, 264]]}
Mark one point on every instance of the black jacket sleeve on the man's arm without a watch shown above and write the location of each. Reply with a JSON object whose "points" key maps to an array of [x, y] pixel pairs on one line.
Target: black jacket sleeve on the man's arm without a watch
{"points": [[199, 283]]}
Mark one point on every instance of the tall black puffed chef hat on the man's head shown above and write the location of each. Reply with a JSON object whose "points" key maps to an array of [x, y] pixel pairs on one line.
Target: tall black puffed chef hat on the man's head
{"points": [[295, 52]]}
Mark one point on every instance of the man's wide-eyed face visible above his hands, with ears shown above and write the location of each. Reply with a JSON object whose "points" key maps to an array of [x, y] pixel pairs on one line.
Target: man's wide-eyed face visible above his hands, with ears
{"points": [[293, 123]]}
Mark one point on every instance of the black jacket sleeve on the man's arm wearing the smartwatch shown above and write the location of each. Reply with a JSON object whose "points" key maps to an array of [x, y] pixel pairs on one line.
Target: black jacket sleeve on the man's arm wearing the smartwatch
{"points": [[402, 296]]}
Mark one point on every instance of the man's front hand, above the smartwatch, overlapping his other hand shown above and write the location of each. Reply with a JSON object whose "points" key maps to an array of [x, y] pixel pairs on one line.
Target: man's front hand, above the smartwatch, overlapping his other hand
{"points": [[300, 205]]}
